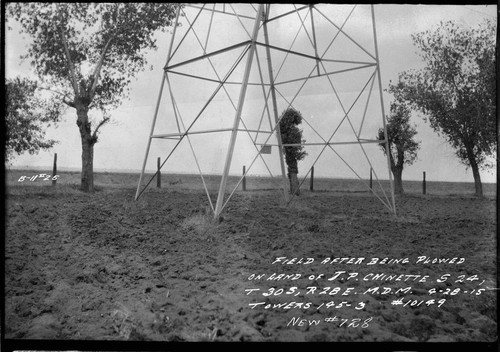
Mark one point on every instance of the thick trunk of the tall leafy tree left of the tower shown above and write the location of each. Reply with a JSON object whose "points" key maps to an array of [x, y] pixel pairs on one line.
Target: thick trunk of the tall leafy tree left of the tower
{"points": [[87, 176]]}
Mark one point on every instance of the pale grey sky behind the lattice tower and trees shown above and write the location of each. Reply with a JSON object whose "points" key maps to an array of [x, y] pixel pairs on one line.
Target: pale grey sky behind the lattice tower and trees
{"points": [[123, 142]]}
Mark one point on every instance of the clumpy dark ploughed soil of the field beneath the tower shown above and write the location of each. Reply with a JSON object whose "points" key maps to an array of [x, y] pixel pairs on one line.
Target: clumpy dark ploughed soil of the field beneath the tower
{"points": [[106, 267]]}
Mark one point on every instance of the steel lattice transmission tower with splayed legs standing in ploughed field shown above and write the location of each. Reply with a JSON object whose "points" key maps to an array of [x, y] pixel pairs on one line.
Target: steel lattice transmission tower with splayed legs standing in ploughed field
{"points": [[273, 56]]}
